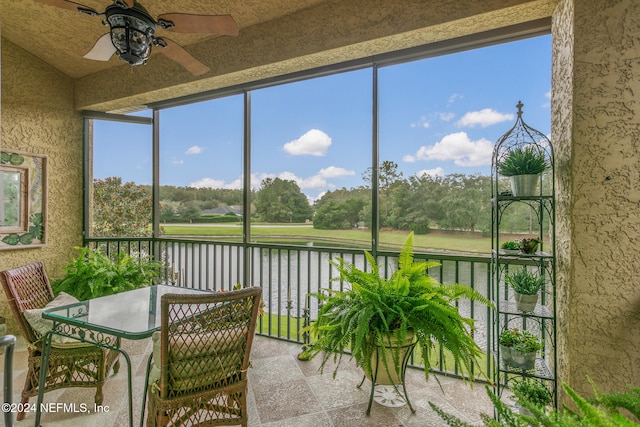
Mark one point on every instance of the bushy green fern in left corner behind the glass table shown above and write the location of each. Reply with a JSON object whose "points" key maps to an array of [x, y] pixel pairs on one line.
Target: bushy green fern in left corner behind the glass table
{"points": [[93, 274]]}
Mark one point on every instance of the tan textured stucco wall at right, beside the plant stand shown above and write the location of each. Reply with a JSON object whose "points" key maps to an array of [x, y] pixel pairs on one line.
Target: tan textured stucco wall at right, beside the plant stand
{"points": [[596, 129]]}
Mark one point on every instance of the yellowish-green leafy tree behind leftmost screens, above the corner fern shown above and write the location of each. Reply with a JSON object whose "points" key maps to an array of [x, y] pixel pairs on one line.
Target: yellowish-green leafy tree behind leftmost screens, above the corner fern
{"points": [[120, 210]]}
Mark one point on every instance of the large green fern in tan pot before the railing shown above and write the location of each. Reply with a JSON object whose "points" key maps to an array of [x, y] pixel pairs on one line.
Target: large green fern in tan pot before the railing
{"points": [[408, 308]]}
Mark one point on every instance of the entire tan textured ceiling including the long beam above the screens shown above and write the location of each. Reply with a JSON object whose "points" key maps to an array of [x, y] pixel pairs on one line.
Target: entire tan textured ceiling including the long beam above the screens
{"points": [[276, 37]]}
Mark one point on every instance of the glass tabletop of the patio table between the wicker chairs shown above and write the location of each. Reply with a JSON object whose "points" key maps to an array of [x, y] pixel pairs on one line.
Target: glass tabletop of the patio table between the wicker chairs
{"points": [[132, 315]]}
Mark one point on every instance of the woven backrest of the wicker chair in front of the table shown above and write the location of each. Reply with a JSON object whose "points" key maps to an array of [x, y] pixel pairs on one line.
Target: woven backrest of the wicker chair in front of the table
{"points": [[205, 340]]}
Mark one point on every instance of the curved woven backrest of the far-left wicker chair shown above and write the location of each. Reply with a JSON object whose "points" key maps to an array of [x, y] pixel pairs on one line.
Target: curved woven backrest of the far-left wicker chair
{"points": [[26, 287]]}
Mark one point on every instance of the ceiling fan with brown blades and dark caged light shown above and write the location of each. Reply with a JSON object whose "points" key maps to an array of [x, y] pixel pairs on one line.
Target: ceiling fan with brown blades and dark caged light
{"points": [[132, 32]]}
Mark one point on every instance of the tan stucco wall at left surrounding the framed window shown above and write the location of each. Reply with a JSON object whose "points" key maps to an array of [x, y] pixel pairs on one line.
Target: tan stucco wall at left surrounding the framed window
{"points": [[38, 117]]}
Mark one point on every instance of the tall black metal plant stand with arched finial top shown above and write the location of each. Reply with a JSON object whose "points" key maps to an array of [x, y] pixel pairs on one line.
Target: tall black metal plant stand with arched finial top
{"points": [[541, 321]]}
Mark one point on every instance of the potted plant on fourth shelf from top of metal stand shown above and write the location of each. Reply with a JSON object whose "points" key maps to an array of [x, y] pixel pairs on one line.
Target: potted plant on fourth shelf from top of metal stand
{"points": [[519, 348]]}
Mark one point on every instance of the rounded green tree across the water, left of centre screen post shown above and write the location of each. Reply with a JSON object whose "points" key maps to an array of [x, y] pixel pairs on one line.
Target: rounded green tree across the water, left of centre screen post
{"points": [[280, 200]]}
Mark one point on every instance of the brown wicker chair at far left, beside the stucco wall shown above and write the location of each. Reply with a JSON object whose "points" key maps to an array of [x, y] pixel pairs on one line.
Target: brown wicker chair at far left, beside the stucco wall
{"points": [[70, 365]]}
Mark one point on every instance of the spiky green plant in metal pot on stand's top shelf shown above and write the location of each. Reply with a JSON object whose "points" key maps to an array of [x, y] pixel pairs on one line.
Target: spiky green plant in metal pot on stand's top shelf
{"points": [[523, 165]]}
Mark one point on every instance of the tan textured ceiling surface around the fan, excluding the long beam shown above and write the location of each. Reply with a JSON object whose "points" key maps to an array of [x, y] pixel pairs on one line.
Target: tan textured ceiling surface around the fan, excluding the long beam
{"points": [[62, 37]]}
